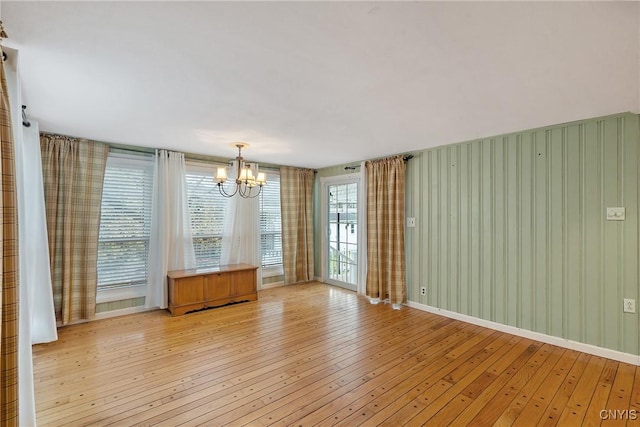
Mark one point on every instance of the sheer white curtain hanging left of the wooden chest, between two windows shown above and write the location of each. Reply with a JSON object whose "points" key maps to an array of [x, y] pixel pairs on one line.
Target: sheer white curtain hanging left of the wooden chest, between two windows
{"points": [[171, 242]]}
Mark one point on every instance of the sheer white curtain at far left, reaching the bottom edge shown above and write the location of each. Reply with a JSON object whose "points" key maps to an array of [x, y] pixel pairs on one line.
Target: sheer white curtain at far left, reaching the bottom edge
{"points": [[37, 323]]}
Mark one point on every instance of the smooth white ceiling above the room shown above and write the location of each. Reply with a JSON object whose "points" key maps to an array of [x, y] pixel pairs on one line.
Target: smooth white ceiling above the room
{"points": [[317, 84]]}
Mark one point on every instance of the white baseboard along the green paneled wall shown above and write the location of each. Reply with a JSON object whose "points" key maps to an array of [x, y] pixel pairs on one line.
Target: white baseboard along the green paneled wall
{"points": [[549, 339]]}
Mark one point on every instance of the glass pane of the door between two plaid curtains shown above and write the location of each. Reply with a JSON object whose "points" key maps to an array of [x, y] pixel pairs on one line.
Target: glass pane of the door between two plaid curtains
{"points": [[342, 221]]}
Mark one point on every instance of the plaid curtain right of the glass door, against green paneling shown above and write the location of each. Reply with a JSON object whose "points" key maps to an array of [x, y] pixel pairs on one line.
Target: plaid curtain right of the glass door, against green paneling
{"points": [[385, 229]]}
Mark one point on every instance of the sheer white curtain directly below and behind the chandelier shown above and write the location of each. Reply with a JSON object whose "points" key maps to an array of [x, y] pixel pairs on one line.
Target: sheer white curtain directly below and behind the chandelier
{"points": [[241, 235]]}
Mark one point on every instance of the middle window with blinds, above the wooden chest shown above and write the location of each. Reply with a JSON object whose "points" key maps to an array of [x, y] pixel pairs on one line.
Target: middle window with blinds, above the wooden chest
{"points": [[206, 208]]}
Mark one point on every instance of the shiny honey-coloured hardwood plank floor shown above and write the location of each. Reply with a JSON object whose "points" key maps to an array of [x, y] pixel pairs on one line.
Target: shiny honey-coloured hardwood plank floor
{"points": [[314, 354]]}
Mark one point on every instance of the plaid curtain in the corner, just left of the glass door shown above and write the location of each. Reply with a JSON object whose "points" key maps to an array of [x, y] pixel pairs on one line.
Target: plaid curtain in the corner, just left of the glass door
{"points": [[296, 201]]}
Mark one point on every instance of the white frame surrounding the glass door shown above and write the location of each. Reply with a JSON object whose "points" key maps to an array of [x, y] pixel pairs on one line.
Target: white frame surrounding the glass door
{"points": [[324, 221]]}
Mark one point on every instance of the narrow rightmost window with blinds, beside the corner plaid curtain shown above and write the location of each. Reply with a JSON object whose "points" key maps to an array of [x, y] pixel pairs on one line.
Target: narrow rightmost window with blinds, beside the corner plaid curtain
{"points": [[271, 224]]}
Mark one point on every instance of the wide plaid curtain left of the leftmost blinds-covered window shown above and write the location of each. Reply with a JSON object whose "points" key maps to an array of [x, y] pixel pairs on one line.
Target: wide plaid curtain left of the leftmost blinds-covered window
{"points": [[73, 173]]}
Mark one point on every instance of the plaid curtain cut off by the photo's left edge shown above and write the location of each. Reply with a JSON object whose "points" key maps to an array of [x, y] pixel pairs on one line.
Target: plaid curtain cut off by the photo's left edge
{"points": [[9, 272]]}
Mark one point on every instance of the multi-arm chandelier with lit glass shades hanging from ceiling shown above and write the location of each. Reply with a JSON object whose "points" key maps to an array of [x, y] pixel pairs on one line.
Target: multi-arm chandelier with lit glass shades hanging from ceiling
{"points": [[246, 181]]}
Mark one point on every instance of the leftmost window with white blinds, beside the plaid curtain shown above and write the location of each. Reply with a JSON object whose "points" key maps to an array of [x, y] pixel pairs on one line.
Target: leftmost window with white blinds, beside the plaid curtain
{"points": [[125, 223]]}
